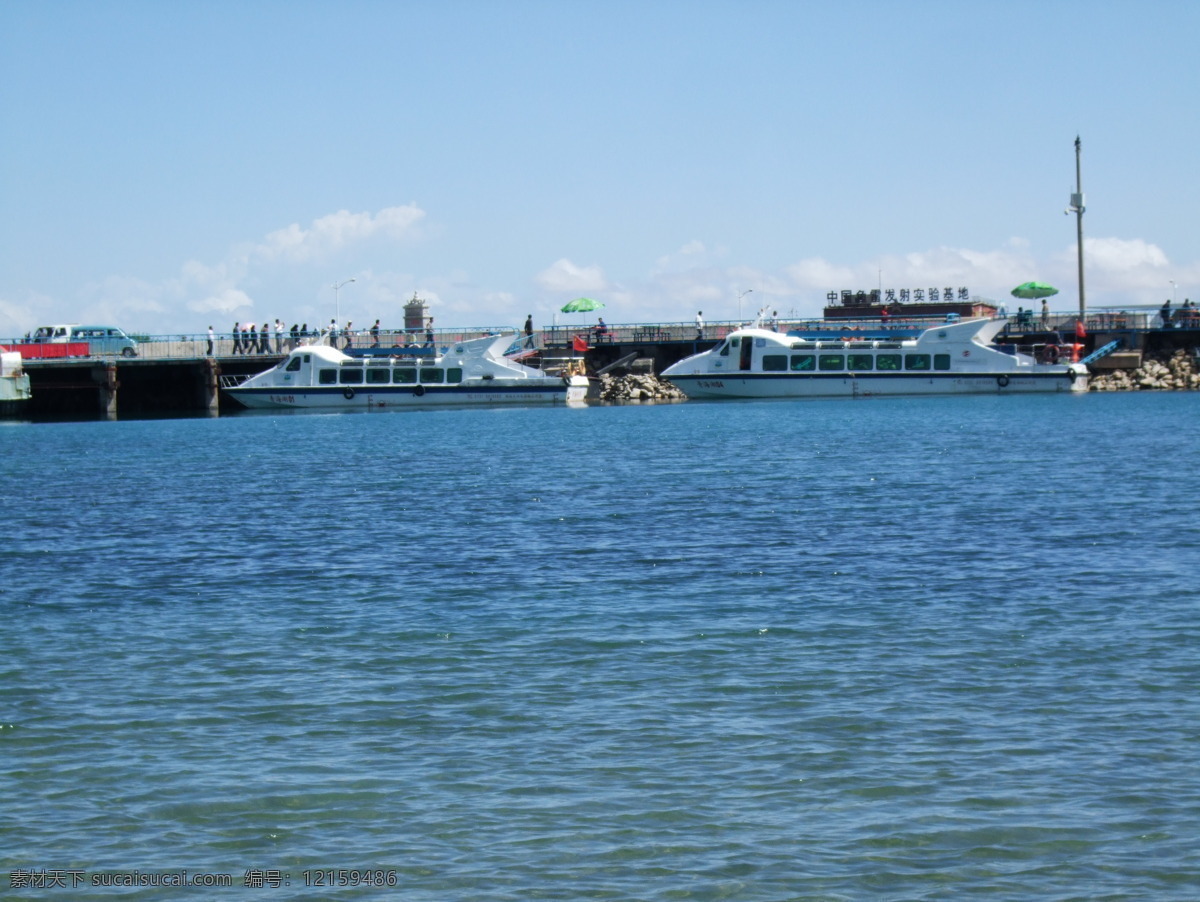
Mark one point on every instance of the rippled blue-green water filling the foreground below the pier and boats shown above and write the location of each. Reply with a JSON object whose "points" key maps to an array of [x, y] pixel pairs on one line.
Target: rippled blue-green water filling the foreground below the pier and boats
{"points": [[889, 650]]}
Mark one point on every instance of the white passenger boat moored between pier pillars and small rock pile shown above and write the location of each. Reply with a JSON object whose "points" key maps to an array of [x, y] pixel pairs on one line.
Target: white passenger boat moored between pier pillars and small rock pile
{"points": [[470, 372]]}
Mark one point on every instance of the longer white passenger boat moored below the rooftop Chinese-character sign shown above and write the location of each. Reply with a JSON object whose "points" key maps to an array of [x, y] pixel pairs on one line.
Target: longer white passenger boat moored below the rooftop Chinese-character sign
{"points": [[949, 359]]}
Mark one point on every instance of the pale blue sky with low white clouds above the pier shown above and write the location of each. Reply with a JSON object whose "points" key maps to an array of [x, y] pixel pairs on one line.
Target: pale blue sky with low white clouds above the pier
{"points": [[170, 166]]}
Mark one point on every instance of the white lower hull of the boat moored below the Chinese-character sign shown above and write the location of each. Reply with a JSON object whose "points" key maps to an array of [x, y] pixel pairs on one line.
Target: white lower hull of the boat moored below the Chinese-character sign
{"points": [[843, 386]]}
